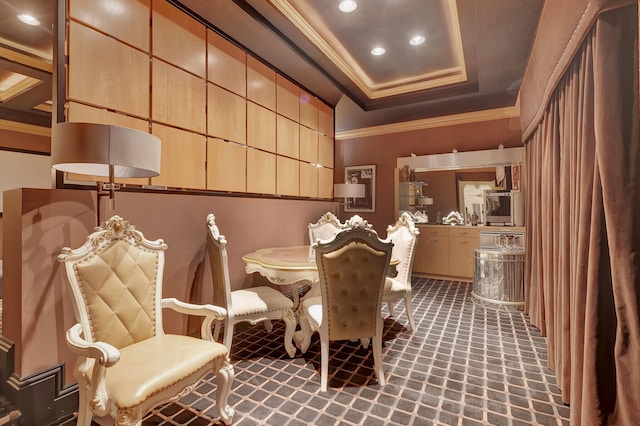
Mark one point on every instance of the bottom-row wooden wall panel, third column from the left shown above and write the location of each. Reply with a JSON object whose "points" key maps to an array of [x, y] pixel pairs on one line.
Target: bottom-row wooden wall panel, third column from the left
{"points": [[226, 166]]}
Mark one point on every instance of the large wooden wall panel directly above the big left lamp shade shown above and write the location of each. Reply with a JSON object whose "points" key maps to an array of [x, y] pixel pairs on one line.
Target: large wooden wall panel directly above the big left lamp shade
{"points": [[117, 77]]}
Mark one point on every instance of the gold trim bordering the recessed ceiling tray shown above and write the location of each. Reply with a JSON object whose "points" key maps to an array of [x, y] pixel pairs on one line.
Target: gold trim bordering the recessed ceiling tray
{"points": [[343, 60]]}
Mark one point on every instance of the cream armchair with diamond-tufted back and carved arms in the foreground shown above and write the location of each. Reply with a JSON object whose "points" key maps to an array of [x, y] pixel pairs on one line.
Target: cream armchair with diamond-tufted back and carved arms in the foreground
{"points": [[128, 364]]}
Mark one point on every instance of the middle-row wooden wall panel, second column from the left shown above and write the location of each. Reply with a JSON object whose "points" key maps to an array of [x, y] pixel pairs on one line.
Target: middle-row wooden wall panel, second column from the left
{"points": [[178, 98]]}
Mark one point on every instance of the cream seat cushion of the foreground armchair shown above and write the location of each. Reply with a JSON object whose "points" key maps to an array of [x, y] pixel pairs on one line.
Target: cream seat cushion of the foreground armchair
{"points": [[150, 366]]}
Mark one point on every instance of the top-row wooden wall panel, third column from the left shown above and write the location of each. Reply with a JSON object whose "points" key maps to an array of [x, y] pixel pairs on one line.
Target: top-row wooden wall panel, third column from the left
{"points": [[227, 64]]}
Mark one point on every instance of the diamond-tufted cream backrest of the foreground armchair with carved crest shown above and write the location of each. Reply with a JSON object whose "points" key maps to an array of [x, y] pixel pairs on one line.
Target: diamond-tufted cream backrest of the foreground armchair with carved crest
{"points": [[115, 279]]}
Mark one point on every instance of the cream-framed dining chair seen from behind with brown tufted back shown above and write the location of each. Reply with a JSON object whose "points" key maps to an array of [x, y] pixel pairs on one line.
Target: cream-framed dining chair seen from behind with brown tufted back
{"points": [[352, 268]]}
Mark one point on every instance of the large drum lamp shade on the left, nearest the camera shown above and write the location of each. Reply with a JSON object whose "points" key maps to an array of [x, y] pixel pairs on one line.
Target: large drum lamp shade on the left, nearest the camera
{"points": [[89, 149]]}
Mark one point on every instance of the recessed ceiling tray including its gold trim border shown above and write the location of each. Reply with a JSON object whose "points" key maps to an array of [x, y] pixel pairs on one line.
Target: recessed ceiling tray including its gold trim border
{"points": [[348, 39]]}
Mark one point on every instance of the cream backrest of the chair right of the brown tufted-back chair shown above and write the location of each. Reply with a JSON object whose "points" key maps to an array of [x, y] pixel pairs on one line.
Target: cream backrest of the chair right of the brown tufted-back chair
{"points": [[404, 236]]}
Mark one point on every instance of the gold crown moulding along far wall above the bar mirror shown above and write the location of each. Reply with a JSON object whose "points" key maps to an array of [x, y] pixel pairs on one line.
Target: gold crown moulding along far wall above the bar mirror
{"points": [[433, 122]]}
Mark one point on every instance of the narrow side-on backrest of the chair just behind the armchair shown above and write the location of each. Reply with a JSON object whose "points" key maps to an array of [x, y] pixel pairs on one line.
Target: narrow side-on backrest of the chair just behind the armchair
{"points": [[219, 262]]}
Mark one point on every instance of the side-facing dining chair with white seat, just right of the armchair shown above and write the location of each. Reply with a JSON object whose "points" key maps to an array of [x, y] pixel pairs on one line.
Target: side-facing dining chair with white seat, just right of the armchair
{"points": [[253, 304]]}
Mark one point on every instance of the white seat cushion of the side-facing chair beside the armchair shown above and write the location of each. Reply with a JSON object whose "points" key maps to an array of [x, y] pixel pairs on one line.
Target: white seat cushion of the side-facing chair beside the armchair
{"points": [[255, 300]]}
